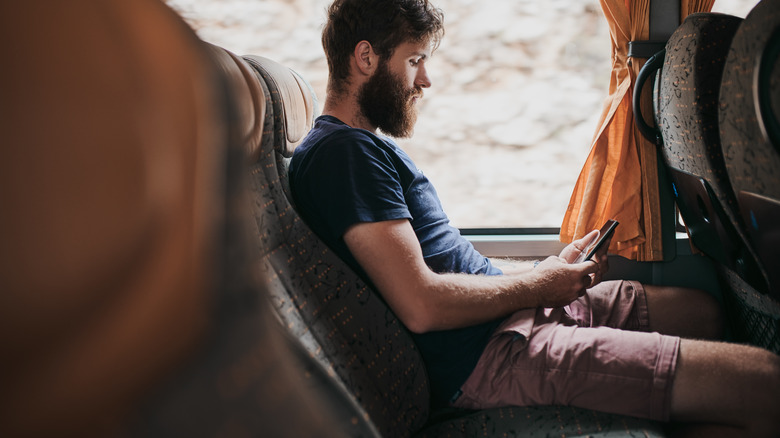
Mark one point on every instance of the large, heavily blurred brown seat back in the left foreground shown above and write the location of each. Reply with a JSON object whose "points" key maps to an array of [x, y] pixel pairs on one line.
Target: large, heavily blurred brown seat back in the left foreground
{"points": [[108, 216]]}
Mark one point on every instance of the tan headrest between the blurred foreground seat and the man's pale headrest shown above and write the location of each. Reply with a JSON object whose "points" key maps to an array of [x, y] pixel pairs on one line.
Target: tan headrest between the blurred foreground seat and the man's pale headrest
{"points": [[247, 95]]}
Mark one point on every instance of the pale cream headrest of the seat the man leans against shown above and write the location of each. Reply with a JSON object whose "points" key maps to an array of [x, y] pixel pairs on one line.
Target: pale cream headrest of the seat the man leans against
{"points": [[293, 95]]}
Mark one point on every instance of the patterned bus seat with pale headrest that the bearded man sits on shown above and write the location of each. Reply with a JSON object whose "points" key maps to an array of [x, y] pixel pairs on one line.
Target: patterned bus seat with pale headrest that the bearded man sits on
{"points": [[344, 324]]}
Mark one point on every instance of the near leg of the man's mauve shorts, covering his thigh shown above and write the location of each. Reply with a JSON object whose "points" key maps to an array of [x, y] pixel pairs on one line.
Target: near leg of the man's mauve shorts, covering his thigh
{"points": [[603, 368]]}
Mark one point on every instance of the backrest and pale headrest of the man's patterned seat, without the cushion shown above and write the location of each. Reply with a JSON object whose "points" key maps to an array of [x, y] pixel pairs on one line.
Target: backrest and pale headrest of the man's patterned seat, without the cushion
{"points": [[340, 320]]}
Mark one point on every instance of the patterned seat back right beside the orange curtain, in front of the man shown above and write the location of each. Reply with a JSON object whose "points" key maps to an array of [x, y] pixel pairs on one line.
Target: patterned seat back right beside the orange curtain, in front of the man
{"points": [[686, 113]]}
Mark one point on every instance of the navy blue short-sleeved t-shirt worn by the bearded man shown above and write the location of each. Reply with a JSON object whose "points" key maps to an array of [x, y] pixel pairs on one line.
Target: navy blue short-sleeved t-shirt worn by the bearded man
{"points": [[341, 176]]}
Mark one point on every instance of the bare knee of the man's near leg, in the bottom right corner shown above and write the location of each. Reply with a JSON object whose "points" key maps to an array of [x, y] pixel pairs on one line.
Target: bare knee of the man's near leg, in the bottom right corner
{"points": [[729, 389]]}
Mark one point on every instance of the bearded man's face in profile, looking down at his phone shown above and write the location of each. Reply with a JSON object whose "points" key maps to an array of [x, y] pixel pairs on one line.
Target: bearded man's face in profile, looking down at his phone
{"points": [[388, 98]]}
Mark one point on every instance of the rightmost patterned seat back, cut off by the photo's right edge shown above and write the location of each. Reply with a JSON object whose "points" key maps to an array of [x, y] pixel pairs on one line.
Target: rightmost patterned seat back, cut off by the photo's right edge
{"points": [[750, 137]]}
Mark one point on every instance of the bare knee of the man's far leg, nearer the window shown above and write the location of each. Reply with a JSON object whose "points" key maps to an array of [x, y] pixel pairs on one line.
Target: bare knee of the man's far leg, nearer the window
{"points": [[688, 313]]}
